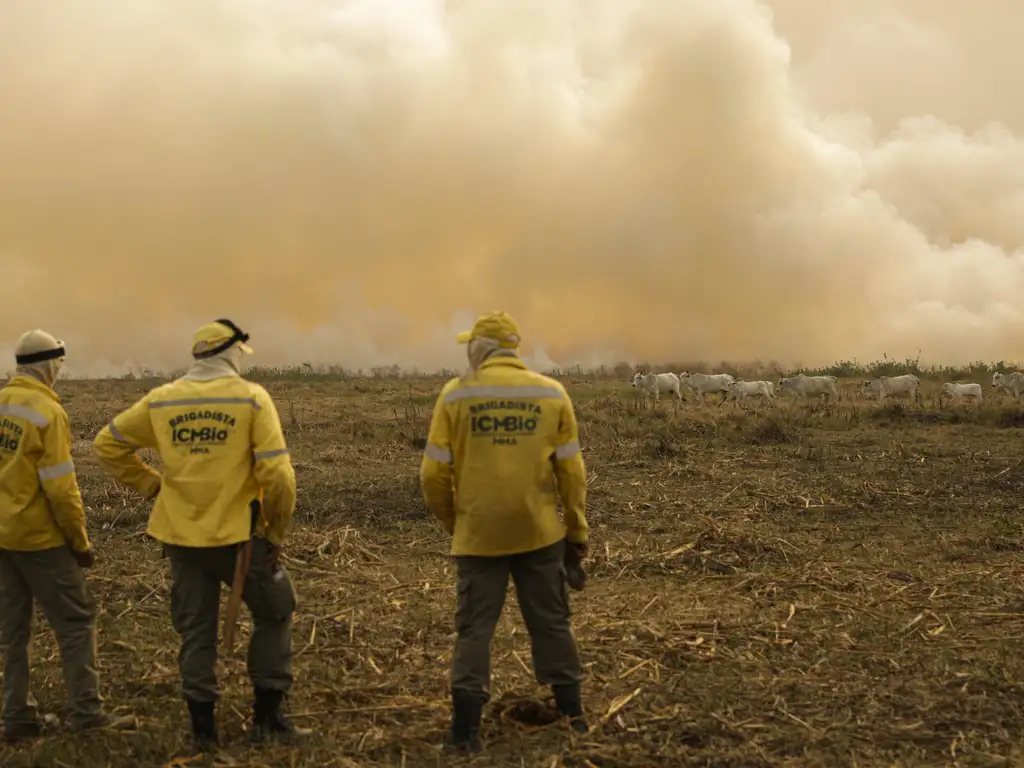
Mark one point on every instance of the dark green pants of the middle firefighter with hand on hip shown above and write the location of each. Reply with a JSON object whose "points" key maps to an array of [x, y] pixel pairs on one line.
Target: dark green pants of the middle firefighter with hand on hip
{"points": [[197, 575]]}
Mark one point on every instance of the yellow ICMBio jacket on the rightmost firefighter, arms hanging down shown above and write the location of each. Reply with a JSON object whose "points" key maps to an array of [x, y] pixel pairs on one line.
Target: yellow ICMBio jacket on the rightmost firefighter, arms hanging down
{"points": [[500, 442]]}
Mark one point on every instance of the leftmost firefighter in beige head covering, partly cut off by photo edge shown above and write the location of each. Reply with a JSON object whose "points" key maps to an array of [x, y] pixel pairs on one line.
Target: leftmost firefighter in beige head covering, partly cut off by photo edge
{"points": [[44, 543]]}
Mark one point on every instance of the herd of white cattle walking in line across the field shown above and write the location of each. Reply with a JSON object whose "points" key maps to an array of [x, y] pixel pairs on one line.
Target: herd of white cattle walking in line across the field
{"points": [[814, 387]]}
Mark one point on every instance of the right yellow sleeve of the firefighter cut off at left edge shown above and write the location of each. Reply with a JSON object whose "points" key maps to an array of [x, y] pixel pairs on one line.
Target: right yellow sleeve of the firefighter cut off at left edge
{"points": [[57, 476]]}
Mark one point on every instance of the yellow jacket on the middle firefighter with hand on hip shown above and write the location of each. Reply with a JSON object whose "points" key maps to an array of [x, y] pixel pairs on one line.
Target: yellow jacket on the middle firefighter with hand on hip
{"points": [[222, 447]]}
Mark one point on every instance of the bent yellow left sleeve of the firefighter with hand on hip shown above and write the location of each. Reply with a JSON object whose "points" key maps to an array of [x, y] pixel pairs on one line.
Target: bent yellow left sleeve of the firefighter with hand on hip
{"points": [[116, 445]]}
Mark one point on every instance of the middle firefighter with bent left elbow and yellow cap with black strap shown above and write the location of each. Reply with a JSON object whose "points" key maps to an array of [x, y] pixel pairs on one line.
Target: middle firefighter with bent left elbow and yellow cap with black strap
{"points": [[226, 466]]}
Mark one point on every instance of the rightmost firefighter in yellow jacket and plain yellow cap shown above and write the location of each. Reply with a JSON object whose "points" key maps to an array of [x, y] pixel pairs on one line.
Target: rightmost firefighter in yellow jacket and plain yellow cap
{"points": [[503, 448]]}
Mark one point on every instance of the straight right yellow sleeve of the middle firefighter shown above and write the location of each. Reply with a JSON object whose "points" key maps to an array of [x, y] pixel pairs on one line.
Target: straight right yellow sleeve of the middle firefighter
{"points": [[273, 470]]}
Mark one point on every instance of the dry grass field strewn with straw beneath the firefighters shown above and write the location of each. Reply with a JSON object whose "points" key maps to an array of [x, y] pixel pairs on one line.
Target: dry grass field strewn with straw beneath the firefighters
{"points": [[790, 586]]}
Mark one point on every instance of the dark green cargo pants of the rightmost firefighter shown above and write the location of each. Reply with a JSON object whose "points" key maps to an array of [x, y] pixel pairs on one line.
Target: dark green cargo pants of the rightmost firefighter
{"points": [[544, 602]]}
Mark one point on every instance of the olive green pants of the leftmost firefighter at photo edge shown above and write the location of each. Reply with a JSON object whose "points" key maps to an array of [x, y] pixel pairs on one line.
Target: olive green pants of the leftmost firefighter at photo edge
{"points": [[55, 580]]}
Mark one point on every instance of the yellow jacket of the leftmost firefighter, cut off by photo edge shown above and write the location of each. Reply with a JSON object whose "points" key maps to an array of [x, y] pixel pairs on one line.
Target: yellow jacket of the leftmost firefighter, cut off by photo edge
{"points": [[40, 502]]}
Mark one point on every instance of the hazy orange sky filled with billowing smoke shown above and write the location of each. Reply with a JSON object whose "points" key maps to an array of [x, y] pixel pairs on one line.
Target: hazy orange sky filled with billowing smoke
{"points": [[633, 180]]}
